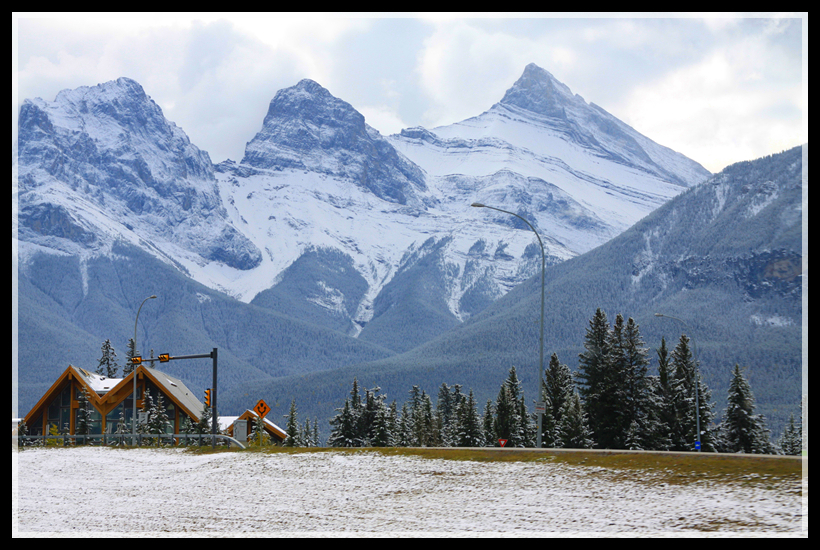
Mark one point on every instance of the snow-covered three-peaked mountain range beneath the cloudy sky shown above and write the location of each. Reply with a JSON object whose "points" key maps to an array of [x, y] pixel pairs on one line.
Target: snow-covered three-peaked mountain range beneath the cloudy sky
{"points": [[330, 222]]}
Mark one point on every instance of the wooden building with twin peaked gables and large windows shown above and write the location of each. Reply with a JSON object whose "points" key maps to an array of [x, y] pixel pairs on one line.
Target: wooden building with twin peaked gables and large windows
{"points": [[111, 400]]}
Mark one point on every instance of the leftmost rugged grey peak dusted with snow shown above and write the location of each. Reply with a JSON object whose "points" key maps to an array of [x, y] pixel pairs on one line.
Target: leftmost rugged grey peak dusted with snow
{"points": [[100, 164]]}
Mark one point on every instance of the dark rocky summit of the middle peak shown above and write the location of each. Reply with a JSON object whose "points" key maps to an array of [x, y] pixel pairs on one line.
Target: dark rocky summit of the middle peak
{"points": [[308, 128]]}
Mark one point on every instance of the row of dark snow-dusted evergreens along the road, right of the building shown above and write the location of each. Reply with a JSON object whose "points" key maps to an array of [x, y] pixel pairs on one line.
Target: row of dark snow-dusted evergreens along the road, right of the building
{"points": [[611, 401]]}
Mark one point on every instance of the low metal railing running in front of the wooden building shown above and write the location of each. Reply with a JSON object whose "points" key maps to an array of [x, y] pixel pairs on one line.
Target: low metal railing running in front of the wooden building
{"points": [[125, 440]]}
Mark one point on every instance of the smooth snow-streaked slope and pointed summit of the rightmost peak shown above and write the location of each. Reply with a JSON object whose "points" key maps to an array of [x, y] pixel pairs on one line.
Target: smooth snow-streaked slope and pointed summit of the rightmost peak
{"points": [[540, 130]]}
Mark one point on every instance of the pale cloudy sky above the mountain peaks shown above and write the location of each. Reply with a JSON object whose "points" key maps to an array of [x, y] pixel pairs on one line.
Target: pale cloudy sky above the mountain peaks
{"points": [[719, 88]]}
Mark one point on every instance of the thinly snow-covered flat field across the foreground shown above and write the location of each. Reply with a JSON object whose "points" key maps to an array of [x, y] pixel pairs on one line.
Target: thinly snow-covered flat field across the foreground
{"points": [[88, 491]]}
